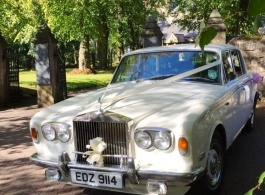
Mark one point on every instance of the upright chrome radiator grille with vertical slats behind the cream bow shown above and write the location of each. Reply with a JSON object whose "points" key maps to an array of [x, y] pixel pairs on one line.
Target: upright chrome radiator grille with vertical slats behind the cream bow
{"points": [[113, 134]]}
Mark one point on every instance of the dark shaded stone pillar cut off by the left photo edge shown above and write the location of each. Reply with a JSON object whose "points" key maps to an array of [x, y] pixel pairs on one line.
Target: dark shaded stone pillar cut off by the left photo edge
{"points": [[3, 73]]}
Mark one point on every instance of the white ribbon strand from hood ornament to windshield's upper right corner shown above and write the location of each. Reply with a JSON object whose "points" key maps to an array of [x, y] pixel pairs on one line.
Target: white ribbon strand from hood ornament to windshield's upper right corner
{"points": [[157, 84]]}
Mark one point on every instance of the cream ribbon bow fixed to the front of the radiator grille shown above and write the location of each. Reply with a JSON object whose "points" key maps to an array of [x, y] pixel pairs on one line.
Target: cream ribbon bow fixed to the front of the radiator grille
{"points": [[97, 145]]}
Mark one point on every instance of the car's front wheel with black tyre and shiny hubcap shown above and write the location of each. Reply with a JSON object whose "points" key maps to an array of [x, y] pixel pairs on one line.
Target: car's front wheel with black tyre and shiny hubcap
{"points": [[210, 183]]}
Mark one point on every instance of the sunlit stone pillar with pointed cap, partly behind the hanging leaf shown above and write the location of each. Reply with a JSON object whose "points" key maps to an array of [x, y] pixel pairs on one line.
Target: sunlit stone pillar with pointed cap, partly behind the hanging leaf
{"points": [[216, 21]]}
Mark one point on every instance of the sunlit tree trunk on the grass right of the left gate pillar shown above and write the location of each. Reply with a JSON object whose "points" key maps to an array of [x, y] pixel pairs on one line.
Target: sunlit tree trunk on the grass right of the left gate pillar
{"points": [[84, 54]]}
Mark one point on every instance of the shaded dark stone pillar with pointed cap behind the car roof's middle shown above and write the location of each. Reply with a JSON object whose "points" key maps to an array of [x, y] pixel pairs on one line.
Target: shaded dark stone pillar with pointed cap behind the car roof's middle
{"points": [[151, 34]]}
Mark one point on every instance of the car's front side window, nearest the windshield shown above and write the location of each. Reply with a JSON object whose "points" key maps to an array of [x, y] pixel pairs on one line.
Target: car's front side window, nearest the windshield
{"points": [[228, 67]]}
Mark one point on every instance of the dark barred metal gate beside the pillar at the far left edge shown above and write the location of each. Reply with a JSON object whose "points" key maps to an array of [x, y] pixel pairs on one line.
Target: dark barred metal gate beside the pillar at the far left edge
{"points": [[13, 91]]}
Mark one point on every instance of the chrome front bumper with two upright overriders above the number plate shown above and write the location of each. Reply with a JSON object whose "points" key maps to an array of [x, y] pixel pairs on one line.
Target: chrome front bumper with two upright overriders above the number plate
{"points": [[64, 165]]}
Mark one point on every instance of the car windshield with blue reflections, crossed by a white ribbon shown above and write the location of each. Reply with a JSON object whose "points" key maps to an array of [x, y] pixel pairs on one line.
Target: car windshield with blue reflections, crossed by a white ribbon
{"points": [[162, 65]]}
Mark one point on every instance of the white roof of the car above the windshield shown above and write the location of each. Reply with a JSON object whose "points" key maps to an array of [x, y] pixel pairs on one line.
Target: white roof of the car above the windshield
{"points": [[183, 47]]}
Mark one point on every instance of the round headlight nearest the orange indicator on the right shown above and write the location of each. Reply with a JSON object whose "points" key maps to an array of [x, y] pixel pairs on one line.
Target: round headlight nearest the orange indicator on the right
{"points": [[162, 140]]}
